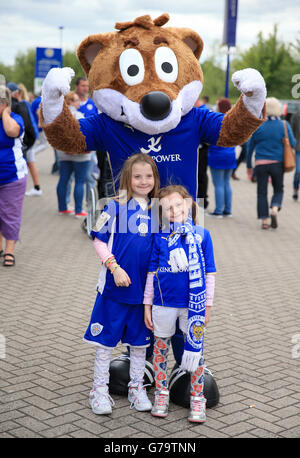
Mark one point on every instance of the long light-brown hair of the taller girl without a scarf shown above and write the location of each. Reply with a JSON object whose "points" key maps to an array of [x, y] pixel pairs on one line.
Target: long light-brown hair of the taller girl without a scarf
{"points": [[125, 190]]}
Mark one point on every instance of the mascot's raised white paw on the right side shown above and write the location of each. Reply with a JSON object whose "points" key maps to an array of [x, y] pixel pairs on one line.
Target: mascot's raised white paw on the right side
{"points": [[251, 83]]}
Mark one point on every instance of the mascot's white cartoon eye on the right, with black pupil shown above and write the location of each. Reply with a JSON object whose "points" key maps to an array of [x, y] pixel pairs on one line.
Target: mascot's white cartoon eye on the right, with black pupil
{"points": [[166, 64]]}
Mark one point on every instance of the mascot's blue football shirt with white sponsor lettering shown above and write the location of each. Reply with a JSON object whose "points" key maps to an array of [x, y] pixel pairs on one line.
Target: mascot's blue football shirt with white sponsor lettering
{"points": [[175, 152]]}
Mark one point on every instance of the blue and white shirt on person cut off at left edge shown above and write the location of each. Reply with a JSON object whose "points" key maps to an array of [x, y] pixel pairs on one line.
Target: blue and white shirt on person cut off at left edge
{"points": [[12, 165]]}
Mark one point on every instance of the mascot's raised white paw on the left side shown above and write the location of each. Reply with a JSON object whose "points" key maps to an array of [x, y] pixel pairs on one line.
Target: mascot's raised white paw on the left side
{"points": [[55, 86]]}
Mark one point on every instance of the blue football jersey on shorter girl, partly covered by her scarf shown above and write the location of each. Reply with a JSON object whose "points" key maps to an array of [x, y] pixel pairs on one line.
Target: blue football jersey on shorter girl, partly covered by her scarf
{"points": [[172, 289]]}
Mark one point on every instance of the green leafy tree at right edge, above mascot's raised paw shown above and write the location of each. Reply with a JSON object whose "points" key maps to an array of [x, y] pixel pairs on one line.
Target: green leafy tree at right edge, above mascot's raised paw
{"points": [[274, 60]]}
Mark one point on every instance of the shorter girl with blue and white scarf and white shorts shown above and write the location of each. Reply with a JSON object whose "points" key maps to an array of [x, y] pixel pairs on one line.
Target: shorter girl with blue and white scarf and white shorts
{"points": [[180, 284]]}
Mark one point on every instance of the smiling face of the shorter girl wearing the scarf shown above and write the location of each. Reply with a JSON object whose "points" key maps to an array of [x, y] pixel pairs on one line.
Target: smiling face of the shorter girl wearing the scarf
{"points": [[175, 208]]}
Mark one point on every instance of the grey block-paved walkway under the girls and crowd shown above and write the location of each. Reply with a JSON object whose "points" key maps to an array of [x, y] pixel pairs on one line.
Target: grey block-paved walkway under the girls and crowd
{"points": [[251, 345]]}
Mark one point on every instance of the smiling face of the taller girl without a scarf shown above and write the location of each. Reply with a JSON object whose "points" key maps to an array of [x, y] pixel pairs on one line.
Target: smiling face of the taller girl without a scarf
{"points": [[142, 180]]}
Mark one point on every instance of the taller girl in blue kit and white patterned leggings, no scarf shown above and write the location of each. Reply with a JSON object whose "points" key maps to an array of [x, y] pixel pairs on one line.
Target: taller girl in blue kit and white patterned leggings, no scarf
{"points": [[123, 238]]}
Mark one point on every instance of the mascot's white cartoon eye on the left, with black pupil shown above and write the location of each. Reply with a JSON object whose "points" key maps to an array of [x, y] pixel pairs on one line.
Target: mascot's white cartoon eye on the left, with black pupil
{"points": [[132, 66]]}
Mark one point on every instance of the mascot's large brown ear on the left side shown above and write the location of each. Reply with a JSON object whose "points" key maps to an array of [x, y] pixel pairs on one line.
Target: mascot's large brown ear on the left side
{"points": [[90, 47]]}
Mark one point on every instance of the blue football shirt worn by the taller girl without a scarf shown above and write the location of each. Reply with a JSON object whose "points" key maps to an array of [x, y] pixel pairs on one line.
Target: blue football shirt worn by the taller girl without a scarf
{"points": [[132, 230]]}
